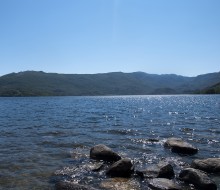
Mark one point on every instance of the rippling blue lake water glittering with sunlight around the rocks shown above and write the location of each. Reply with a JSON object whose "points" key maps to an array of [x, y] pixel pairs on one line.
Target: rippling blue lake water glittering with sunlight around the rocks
{"points": [[46, 139]]}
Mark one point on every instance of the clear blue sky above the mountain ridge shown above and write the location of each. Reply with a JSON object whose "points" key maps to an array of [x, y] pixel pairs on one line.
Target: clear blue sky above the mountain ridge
{"points": [[99, 36]]}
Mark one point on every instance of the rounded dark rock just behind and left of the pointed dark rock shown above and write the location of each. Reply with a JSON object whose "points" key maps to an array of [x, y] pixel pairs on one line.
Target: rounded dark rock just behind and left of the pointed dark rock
{"points": [[102, 152]]}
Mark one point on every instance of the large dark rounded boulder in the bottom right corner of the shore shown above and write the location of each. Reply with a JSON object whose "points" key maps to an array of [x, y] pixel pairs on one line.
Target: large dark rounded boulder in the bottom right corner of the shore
{"points": [[198, 178]]}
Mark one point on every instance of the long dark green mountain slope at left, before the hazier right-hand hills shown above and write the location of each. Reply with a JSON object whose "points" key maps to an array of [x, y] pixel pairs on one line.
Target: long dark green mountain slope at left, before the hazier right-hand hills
{"points": [[40, 83]]}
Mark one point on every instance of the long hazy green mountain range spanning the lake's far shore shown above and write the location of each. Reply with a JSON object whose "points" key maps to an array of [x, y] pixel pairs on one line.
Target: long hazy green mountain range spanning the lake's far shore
{"points": [[33, 83]]}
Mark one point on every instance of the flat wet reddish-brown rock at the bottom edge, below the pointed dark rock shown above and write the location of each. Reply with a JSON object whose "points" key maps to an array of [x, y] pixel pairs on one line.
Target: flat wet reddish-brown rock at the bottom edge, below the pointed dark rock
{"points": [[120, 184]]}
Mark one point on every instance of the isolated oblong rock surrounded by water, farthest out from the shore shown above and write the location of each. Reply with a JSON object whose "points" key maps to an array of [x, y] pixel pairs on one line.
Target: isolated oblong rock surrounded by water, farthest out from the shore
{"points": [[179, 146]]}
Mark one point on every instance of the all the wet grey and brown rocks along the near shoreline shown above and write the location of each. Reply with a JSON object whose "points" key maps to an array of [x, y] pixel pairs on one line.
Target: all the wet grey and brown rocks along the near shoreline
{"points": [[161, 176]]}
